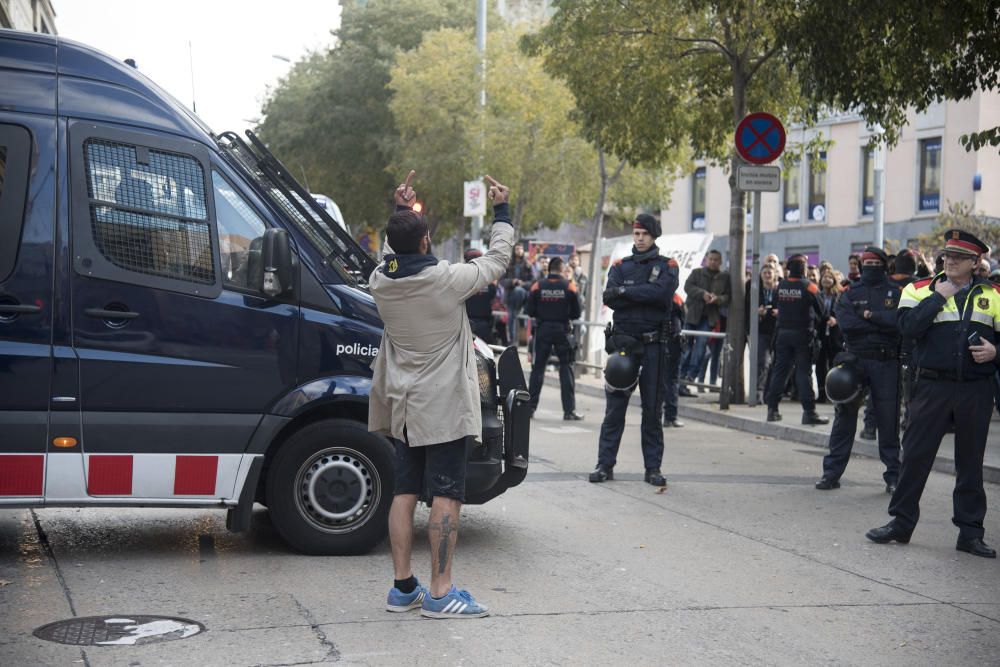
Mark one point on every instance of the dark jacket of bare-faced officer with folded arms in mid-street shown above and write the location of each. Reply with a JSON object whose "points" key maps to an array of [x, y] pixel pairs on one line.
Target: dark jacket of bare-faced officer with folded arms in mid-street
{"points": [[650, 281]]}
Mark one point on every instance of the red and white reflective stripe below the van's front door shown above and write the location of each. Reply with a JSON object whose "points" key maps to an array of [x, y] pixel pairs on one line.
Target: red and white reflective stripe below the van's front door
{"points": [[162, 475]]}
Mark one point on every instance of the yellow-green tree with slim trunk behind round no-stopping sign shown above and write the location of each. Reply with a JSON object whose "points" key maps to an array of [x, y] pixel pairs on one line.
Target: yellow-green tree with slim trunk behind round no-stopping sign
{"points": [[652, 79]]}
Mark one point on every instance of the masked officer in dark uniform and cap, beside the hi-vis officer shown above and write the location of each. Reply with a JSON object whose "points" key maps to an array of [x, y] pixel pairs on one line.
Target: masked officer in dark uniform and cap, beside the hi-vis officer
{"points": [[866, 314]]}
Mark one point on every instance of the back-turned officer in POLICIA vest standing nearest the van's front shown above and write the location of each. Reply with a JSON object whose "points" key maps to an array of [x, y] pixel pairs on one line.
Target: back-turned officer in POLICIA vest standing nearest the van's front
{"points": [[554, 303]]}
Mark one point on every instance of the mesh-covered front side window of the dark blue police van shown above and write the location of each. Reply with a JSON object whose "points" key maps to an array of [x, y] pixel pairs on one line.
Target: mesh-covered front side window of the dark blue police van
{"points": [[148, 211]]}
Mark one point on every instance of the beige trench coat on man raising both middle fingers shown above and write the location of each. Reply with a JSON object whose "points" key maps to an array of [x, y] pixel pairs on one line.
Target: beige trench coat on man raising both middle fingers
{"points": [[425, 373]]}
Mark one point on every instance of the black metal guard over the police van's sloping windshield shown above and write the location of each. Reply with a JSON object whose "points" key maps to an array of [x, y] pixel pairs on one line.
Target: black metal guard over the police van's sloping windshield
{"points": [[339, 251]]}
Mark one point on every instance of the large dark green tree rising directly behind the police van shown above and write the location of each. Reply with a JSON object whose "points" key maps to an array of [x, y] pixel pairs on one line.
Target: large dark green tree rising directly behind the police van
{"points": [[330, 116]]}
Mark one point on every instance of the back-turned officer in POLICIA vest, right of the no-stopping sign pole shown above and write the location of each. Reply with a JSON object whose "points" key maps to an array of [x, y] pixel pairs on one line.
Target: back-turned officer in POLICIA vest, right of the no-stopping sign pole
{"points": [[797, 303]]}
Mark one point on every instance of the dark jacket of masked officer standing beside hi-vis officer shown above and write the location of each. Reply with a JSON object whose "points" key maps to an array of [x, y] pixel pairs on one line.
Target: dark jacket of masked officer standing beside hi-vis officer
{"points": [[879, 334]]}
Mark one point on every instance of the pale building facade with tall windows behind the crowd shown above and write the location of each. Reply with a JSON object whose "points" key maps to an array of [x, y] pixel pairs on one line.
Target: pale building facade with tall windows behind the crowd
{"points": [[826, 204]]}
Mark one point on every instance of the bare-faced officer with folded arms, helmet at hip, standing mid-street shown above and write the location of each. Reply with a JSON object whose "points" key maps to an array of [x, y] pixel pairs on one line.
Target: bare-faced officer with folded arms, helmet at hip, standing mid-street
{"points": [[640, 290]]}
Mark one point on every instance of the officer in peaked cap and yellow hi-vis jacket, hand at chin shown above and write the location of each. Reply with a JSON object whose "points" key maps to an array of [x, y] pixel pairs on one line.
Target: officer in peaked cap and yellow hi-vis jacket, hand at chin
{"points": [[953, 318]]}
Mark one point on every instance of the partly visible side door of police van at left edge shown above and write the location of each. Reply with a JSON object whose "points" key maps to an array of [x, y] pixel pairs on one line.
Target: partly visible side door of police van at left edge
{"points": [[27, 147]]}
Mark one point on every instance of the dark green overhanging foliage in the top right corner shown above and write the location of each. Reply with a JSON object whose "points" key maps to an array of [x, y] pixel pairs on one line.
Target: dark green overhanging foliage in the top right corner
{"points": [[883, 57]]}
